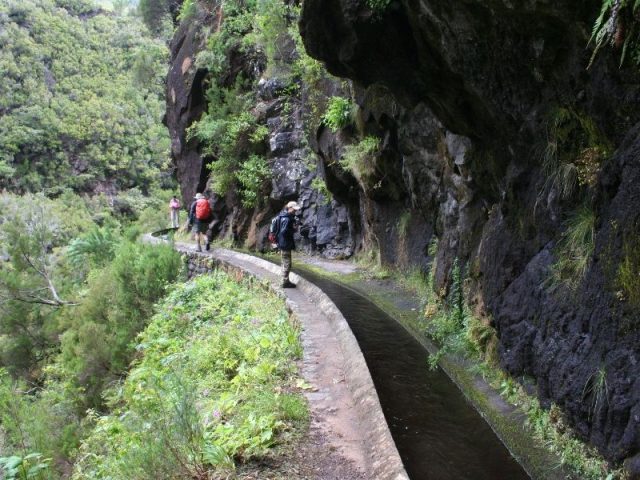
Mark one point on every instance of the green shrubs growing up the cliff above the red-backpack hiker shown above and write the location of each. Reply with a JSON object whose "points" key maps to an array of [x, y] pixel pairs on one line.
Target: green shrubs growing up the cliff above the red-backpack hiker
{"points": [[228, 131]]}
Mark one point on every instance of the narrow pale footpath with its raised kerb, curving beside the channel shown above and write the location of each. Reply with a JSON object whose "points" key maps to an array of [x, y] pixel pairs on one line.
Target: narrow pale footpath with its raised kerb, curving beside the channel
{"points": [[348, 436]]}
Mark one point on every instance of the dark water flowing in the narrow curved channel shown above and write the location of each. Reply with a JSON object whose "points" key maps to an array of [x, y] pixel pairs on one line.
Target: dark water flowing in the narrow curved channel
{"points": [[439, 435]]}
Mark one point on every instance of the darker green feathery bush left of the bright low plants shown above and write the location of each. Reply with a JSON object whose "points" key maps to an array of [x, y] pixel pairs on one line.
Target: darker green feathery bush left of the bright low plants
{"points": [[96, 345]]}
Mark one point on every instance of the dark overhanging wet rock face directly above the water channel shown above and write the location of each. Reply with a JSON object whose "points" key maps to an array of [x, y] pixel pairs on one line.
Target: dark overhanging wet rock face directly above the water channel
{"points": [[461, 94]]}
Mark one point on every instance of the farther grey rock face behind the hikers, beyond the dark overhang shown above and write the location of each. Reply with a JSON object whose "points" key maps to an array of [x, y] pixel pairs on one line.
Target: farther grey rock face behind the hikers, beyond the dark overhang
{"points": [[325, 225]]}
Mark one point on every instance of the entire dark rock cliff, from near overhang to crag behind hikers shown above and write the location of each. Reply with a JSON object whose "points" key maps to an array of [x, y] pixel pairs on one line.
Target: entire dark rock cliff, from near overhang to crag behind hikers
{"points": [[495, 139]]}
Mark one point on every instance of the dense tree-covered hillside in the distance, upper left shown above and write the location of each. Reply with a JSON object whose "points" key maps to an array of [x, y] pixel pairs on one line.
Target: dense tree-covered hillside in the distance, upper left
{"points": [[73, 110]]}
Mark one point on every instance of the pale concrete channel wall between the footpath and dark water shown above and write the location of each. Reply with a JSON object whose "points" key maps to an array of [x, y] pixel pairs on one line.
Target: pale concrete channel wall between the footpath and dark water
{"points": [[382, 460]]}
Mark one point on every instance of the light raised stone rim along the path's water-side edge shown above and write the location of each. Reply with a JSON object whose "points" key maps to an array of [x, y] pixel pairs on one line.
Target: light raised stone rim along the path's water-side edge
{"points": [[384, 461]]}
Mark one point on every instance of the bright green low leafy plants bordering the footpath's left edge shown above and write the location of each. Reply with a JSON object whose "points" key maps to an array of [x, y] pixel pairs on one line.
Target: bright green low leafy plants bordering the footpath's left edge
{"points": [[206, 391]]}
